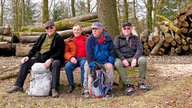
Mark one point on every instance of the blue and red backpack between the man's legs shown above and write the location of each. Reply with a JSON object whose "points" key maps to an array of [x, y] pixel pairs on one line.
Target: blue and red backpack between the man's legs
{"points": [[96, 87]]}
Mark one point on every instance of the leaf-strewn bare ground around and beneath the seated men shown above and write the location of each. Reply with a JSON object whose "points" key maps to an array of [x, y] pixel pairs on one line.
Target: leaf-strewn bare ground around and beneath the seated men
{"points": [[170, 78]]}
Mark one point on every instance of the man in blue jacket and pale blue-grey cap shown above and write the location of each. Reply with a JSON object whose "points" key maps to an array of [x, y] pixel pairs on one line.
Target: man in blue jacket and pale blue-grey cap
{"points": [[99, 51]]}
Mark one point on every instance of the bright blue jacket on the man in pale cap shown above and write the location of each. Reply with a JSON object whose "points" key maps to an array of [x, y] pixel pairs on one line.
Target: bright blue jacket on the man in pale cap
{"points": [[100, 53]]}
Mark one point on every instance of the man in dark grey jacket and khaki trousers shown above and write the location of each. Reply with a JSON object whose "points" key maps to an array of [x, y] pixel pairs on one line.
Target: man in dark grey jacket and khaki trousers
{"points": [[129, 52]]}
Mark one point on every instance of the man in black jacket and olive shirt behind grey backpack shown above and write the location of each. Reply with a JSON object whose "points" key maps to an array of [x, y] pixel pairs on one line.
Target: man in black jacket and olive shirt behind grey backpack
{"points": [[48, 49]]}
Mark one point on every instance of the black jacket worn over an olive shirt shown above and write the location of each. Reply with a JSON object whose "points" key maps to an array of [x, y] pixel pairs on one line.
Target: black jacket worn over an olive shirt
{"points": [[56, 51]]}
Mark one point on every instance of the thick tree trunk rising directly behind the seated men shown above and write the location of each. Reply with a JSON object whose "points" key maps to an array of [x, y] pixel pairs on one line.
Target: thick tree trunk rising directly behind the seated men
{"points": [[107, 15]]}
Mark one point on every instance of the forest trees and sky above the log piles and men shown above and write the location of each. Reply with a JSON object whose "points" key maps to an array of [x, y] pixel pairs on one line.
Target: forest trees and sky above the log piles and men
{"points": [[142, 13]]}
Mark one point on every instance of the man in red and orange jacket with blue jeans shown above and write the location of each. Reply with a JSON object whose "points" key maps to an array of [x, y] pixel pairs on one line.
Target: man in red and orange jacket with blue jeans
{"points": [[75, 55]]}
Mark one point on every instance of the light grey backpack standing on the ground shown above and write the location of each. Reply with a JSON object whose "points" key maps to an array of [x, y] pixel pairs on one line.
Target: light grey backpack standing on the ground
{"points": [[40, 84]]}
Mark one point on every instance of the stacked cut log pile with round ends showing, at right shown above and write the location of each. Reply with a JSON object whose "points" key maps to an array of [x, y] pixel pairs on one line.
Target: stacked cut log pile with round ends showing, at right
{"points": [[172, 37]]}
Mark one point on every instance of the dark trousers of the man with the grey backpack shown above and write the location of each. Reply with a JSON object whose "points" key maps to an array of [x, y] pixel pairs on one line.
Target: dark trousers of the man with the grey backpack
{"points": [[25, 69]]}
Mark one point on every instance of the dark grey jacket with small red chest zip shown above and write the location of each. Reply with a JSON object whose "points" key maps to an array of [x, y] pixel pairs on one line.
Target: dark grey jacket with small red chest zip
{"points": [[128, 48]]}
